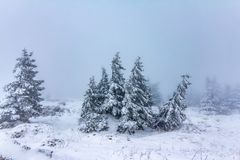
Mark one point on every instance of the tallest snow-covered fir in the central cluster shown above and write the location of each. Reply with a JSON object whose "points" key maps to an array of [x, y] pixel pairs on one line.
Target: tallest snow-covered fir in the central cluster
{"points": [[114, 102]]}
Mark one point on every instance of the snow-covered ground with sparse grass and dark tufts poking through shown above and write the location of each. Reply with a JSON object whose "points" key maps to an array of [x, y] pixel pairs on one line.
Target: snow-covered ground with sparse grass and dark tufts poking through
{"points": [[201, 138]]}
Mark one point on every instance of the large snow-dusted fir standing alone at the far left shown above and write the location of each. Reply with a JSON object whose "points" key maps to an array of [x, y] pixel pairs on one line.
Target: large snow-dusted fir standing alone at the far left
{"points": [[24, 94]]}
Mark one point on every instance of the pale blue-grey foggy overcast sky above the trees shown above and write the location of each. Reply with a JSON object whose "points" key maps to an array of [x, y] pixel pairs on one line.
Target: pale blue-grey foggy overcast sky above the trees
{"points": [[73, 39]]}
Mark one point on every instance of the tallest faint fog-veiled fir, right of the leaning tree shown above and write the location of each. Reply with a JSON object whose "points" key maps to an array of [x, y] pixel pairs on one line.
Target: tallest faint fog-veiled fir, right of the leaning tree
{"points": [[211, 100]]}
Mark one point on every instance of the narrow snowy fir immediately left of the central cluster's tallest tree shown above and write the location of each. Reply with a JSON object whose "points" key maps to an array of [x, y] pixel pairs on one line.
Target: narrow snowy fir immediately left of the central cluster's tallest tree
{"points": [[103, 87]]}
